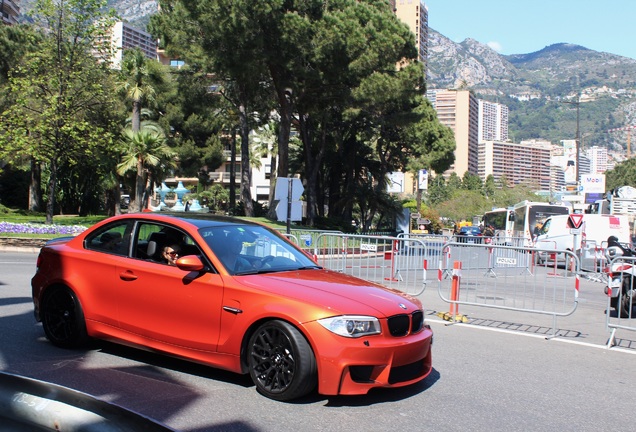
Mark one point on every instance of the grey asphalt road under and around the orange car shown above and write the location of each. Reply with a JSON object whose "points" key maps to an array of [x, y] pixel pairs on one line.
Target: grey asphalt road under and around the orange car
{"points": [[498, 373]]}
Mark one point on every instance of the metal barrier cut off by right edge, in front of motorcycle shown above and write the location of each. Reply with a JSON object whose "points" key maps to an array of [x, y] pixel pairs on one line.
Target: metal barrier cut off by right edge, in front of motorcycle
{"points": [[620, 307]]}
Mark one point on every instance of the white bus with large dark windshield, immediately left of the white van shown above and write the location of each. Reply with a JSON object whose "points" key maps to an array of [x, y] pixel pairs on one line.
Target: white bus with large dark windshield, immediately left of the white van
{"points": [[529, 217]]}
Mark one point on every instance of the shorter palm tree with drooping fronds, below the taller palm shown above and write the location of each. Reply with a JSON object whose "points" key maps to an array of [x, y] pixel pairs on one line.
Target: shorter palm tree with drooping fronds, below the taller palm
{"points": [[146, 152]]}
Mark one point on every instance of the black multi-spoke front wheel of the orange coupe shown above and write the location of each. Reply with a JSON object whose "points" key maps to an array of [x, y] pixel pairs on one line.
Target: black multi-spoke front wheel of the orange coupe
{"points": [[281, 362]]}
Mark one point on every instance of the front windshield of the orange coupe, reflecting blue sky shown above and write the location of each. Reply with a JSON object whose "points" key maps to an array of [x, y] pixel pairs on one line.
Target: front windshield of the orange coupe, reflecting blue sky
{"points": [[251, 249]]}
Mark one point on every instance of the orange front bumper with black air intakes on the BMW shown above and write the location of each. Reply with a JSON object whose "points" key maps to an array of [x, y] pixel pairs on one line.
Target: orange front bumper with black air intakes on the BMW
{"points": [[355, 366]]}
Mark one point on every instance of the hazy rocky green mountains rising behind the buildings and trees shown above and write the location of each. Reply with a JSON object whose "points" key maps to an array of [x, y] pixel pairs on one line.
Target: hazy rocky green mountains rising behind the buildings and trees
{"points": [[533, 86]]}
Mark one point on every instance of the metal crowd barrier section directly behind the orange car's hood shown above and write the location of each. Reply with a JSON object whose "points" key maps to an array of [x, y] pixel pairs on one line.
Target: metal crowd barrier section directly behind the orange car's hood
{"points": [[398, 263]]}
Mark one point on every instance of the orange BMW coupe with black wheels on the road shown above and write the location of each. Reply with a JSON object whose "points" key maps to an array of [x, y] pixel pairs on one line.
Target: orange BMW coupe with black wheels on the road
{"points": [[239, 297]]}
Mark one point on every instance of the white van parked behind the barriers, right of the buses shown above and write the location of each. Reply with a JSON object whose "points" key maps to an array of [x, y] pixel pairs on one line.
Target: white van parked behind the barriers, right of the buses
{"points": [[556, 234]]}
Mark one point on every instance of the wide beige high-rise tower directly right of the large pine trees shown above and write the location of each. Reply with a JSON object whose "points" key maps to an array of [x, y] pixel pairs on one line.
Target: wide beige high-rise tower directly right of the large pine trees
{"points": [[459, 110]]}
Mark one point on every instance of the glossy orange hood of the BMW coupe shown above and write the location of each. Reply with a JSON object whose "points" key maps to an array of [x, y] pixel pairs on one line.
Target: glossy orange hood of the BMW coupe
{"points": [[337, 292]]}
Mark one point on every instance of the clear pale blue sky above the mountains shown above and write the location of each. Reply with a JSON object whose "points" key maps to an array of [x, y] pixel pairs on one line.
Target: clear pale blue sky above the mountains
{"points": [[524, 26]]}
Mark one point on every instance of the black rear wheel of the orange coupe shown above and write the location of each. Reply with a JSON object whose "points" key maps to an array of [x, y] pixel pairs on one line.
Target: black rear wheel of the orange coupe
{"points": [[63, 318]]}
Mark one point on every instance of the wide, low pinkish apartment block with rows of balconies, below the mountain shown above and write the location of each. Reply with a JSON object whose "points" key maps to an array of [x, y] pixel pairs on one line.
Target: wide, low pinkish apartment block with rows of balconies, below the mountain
{"points": [[525, 163]]}
